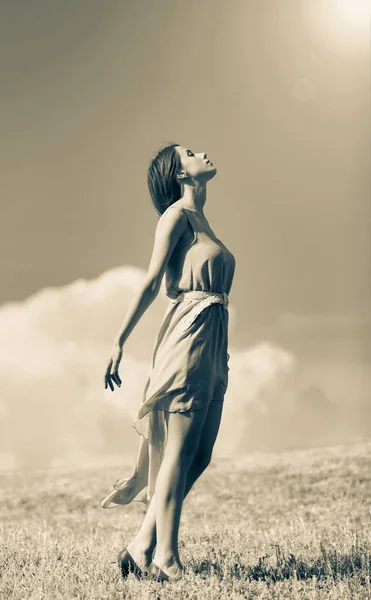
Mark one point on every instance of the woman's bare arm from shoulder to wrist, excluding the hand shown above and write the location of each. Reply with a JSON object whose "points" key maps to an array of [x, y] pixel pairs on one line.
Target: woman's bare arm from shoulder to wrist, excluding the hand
{"points": [[170, 228]]}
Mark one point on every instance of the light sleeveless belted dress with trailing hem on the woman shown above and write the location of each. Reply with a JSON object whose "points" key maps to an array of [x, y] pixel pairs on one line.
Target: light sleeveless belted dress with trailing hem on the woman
{"points": [[189, 367]]}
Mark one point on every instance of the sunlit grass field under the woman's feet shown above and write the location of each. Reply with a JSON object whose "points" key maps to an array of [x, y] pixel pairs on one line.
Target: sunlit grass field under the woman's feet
{"points": [[289, 525]]}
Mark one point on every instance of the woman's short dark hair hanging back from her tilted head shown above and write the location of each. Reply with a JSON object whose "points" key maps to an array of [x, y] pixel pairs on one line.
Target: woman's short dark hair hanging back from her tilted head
{"points": [[162, 182]]}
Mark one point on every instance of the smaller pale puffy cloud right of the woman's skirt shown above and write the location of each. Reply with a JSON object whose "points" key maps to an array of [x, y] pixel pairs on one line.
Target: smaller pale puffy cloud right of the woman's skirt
{"points": [[267, 407]]}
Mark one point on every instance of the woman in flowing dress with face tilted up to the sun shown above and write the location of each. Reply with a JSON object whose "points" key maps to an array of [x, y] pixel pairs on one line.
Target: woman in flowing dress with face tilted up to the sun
{"points": [[183, 399]]}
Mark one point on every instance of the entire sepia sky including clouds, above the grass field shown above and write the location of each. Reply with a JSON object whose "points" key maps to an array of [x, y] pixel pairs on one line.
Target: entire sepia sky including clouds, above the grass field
{"points": [[278, 95]]}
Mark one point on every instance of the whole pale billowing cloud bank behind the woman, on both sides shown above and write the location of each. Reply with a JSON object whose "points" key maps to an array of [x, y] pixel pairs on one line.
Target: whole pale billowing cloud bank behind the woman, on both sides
{"points": [[54, 349]]}
